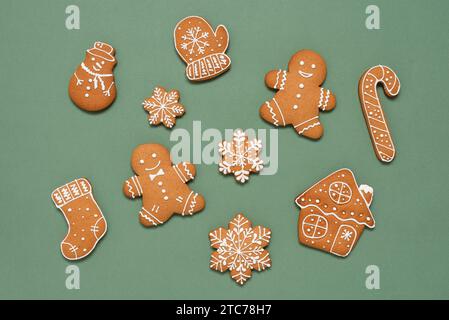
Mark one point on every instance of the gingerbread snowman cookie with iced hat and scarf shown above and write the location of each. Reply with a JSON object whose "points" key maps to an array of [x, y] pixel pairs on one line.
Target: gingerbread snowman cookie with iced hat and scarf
{"points": [[92, 86]]}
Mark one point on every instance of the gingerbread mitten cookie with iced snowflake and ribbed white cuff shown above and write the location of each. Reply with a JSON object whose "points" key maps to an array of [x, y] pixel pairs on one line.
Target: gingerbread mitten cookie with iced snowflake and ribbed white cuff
{"points": [[202, 48]]}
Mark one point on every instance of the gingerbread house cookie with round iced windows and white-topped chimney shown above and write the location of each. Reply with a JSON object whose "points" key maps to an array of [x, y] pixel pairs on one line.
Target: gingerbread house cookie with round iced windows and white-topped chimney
{"points": [[334, 213]]}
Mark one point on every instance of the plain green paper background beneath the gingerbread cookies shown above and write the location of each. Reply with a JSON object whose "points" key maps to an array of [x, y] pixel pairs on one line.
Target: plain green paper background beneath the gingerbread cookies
{"points": [[46, 141]]}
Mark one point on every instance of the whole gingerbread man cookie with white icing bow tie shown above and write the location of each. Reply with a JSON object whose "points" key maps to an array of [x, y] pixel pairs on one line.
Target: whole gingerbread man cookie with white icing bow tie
{"points": [[161, 185]]}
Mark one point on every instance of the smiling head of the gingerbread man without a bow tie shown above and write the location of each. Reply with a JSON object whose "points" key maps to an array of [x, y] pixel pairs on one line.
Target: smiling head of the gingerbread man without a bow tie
{"points": [[308, 66]]}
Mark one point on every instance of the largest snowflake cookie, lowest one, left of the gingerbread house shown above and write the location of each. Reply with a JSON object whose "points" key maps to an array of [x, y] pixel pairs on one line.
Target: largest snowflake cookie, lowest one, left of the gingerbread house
{"points": [[240, 249]]}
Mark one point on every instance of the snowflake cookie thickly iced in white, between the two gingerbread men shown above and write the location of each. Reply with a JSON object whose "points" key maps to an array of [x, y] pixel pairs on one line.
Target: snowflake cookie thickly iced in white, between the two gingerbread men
{"points": [[240, 157]]}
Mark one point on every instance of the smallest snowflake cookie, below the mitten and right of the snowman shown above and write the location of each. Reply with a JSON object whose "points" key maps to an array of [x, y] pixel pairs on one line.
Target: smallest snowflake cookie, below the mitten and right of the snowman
{"points": [[163, 107]]}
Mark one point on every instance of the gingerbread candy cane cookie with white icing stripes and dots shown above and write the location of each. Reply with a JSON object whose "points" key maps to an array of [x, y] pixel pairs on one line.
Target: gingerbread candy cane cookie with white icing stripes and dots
{"points": [[372, 109]]}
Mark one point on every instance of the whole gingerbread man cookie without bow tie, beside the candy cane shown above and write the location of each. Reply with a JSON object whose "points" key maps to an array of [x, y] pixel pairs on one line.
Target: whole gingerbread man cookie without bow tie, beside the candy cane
{"points": [[300, 96]]}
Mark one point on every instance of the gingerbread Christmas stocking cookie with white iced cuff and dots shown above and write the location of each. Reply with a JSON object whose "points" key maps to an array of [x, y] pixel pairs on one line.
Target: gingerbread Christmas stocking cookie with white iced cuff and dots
{"points": [[85, 220]]}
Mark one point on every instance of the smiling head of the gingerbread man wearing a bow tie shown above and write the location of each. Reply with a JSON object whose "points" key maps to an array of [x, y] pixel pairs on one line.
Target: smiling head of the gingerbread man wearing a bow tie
{"points": [[148, 159]]}
